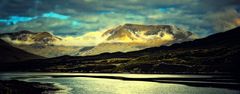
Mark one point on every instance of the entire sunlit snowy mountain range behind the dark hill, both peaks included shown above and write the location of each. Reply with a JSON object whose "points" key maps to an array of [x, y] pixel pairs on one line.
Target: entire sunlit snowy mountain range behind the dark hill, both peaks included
{"points": [[123, 38]]}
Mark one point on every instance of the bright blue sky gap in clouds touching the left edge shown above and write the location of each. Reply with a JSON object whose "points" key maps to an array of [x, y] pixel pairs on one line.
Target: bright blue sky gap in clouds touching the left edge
{"points": [[16, 19]]}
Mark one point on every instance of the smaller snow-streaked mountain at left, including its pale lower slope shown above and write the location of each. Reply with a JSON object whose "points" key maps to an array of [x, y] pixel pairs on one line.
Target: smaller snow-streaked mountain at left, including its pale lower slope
{"points": [[40, 43]]}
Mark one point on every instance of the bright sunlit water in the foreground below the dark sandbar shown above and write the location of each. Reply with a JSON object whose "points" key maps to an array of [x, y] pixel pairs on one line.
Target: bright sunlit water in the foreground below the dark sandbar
{"points": [[81, 85]]}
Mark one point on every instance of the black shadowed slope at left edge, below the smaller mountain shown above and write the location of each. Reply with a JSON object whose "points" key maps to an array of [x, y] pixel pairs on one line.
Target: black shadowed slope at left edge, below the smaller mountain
{"points": [[11, 54]]}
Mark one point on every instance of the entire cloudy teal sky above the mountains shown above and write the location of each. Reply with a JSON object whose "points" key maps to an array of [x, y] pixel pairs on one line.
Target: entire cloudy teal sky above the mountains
{"points": [[79, 17]]}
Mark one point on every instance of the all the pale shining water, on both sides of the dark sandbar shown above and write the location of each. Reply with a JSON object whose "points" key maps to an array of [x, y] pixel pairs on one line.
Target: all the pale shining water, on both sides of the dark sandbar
{"points": [[87, 85]]}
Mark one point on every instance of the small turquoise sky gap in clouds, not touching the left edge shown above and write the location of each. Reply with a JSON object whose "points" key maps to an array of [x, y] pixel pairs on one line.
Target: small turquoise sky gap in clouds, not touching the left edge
{"points": [[55, 15]]}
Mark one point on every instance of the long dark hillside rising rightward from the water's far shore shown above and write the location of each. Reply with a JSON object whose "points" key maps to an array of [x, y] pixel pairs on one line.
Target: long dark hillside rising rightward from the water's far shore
{"points": [[218, 53]]}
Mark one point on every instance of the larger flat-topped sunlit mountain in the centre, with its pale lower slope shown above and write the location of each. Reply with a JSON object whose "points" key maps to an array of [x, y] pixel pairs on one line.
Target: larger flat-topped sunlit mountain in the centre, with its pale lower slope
{"points": [[132, 37]]}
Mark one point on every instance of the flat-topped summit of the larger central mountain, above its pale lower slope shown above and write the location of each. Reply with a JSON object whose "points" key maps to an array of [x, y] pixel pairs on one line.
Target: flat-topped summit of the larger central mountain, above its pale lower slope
{"points": [[134, 32]]}
